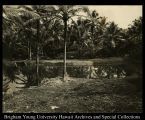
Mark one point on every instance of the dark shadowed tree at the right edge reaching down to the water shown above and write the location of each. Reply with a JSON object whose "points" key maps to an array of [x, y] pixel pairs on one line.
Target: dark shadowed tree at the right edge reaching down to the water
{"points": [[135, 48]]}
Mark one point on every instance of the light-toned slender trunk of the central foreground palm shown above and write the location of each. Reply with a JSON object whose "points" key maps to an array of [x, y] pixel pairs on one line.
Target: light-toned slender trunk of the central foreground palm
{"points": [[65, 35]]}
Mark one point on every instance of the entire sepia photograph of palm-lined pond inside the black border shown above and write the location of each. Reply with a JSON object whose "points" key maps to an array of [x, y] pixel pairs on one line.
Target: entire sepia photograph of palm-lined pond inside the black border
{"points": [[72, 59]]}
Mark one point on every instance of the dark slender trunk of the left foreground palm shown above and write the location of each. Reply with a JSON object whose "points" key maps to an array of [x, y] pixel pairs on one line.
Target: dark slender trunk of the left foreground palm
{"points": [[37, 54]]}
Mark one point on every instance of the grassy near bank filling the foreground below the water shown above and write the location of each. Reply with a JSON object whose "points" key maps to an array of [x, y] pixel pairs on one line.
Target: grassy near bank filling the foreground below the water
{"points": [[76, 95]]}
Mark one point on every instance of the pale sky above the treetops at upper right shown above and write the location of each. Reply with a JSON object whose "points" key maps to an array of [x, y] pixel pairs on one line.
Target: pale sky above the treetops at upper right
{"points": [[121, 15]]}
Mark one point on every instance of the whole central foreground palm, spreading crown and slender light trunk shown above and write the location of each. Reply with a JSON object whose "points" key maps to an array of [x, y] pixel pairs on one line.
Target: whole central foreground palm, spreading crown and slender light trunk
{"points": [[65, 13]]}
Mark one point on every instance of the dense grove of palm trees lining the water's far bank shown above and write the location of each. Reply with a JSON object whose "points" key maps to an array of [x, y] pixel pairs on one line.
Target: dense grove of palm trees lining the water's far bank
{"points": [[60, 31]]}
